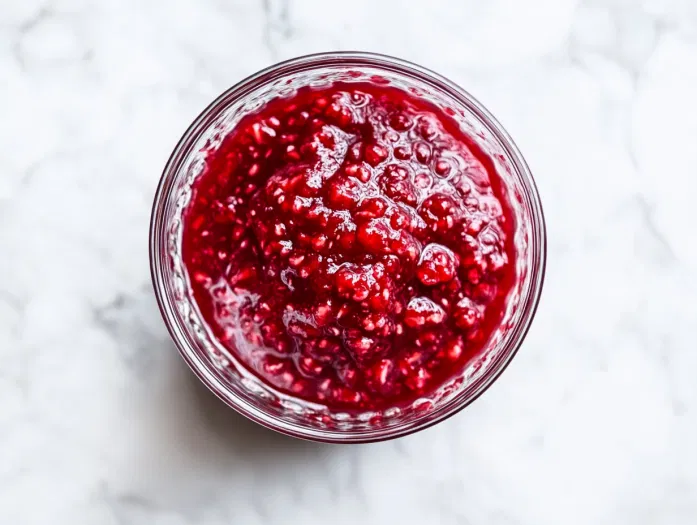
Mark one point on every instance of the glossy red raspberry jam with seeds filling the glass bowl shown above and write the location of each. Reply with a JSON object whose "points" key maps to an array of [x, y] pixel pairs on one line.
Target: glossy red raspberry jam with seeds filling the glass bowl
{"points": [[350, 245]]}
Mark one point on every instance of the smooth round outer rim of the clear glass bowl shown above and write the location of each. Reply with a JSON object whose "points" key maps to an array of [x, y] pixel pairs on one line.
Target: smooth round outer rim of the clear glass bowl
{"points": [[538, 241]]}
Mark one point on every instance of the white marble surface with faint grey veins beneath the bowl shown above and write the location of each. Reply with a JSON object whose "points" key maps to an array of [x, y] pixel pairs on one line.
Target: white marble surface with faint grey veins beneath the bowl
{"points": [[595, 422]]}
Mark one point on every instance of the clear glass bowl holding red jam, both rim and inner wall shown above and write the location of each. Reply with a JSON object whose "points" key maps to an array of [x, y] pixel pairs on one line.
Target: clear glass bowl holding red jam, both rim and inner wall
{"points": [[228, 378]]}
